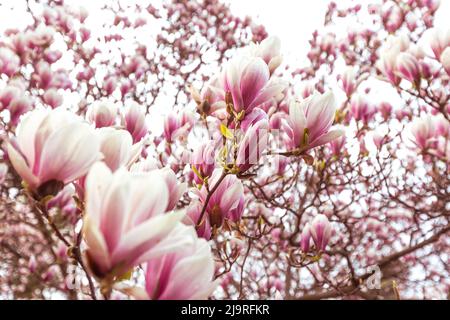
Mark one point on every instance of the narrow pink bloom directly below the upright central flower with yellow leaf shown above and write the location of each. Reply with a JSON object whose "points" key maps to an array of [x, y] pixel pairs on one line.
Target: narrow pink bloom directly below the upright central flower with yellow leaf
{"points": [[253, 144]]}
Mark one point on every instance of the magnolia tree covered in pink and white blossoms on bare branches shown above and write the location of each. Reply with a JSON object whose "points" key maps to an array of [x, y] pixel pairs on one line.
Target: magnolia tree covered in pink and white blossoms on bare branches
{"points": [[171, 154]]}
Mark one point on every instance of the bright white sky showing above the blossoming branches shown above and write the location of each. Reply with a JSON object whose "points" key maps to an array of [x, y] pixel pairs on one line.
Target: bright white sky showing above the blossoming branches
{"points": [[291, 20]]}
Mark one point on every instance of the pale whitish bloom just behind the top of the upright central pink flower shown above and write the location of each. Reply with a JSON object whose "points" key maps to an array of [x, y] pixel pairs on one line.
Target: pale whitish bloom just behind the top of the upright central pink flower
{"points": [[268, 50]]}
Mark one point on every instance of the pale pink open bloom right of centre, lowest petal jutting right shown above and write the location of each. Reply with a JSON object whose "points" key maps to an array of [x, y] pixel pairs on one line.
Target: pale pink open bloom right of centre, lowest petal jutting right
{"points": [[310, 121]]}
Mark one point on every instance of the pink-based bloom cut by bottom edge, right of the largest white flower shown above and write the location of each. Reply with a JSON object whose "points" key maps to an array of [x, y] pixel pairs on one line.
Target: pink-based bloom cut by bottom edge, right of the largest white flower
{"points": [[185, 274]]}
